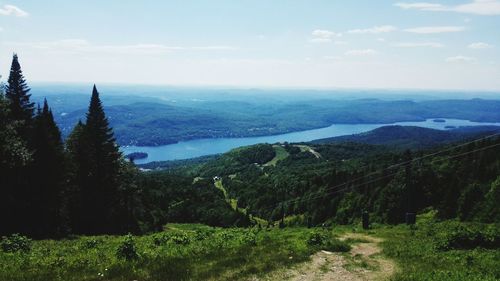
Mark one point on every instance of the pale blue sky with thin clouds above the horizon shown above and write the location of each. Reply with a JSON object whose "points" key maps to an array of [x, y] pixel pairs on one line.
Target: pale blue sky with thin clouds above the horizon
{"points": [[256, 43]]}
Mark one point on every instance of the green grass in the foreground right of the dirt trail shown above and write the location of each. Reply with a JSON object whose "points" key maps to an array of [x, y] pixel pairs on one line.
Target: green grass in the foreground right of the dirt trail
{"points": [[420, 257]]}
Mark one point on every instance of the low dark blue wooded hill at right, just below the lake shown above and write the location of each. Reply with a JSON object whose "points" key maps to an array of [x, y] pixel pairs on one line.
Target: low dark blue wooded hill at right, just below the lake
{"points": [[412, 137]]}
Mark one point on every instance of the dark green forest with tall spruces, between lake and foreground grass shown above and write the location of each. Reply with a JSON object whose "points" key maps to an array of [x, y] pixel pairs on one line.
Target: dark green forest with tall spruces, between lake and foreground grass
{"points": [[52, 188]]}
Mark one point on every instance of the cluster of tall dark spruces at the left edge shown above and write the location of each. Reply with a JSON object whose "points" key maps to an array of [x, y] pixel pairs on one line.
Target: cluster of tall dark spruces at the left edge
{"points": [[52, 188]]}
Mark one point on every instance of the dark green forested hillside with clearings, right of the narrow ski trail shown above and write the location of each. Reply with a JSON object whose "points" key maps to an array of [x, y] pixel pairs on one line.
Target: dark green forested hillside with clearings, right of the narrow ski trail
{"points": [[335, 183]]}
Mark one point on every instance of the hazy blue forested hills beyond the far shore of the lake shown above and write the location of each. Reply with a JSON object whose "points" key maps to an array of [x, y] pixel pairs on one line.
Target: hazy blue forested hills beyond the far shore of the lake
{"points": [[169, 122]]}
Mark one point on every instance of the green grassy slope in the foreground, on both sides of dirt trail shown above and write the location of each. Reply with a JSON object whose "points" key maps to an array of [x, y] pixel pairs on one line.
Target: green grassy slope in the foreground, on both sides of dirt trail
{"points": [[198, 252]]}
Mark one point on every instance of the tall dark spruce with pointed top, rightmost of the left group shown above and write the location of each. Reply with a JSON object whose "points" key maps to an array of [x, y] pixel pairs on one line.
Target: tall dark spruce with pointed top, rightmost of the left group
{"points": [[99, 167]]}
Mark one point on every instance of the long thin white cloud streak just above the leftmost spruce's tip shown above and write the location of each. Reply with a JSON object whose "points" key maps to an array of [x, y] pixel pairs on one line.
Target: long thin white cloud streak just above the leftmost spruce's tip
{"points": [[83, 46]]}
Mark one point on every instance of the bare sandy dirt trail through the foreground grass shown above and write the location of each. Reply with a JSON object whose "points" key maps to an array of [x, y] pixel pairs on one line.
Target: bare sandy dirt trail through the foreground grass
{"points": [[362, 263]]}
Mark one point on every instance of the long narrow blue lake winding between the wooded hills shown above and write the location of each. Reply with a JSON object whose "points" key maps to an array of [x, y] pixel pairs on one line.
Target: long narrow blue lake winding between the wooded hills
{"points": [[201, 147]]}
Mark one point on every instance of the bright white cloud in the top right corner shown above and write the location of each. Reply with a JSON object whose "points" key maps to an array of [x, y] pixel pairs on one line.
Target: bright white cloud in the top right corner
{"points": [[477, 7]]}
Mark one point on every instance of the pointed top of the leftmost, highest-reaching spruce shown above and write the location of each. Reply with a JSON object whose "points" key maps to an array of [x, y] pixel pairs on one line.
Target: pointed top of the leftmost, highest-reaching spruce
{"points": [[17, 92]]}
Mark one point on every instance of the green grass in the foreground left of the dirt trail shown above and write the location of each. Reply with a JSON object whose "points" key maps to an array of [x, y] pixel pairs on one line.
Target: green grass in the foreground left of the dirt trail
{"points": [[180, 252]]}
